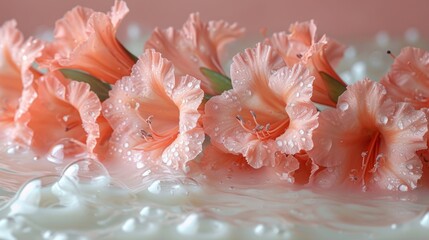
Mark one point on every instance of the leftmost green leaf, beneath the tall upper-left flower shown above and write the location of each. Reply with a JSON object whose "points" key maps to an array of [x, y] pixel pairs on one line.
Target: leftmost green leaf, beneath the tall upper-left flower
{"points": [[96, 85]]}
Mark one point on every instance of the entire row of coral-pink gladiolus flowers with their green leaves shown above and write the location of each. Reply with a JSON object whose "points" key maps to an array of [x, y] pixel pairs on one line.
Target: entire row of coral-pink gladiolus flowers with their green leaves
{"points": [[175, 104]]}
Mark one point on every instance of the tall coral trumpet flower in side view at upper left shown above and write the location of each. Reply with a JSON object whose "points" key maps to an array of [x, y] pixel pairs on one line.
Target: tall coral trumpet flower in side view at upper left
{"points": [[86, 40]]}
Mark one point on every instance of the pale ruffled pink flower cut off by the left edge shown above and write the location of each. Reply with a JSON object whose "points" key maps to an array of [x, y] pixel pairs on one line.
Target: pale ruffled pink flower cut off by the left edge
{"points": [[16, 78]]}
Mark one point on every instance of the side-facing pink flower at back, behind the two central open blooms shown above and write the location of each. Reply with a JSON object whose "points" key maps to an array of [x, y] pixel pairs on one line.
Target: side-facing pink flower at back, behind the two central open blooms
{"points": [[196, 45]]}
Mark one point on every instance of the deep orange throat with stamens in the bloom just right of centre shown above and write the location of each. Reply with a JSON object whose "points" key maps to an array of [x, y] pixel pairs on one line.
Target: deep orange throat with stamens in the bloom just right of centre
{"points": [[263, 132]]}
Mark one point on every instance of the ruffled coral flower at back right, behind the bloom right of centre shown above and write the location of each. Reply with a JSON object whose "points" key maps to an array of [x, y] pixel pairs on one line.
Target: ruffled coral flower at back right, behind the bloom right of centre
{"points": [[318, 54]]}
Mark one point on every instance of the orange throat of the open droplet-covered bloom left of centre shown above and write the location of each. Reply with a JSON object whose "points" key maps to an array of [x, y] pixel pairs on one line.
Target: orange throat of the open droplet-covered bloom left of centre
{"points": [[153, 139]]}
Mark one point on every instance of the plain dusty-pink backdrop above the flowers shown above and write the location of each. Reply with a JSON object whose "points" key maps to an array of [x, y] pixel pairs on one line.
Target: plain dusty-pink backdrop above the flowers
{"points": [[338, 18]]}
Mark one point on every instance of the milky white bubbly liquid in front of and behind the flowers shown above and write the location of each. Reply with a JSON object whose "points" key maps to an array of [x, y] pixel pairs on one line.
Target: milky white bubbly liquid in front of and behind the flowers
{"points": [[81, 199]]}
